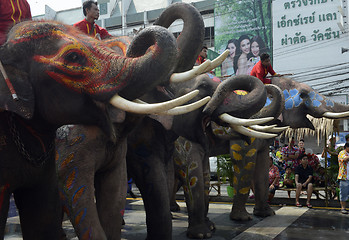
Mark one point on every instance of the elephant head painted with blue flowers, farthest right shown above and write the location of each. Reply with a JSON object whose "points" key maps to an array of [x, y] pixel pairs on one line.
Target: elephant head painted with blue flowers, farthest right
{"points": [[301, 99]]}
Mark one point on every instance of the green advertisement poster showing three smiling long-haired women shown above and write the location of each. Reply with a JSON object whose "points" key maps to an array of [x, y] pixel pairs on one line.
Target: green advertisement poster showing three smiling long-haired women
{"points": [[244, 28]]}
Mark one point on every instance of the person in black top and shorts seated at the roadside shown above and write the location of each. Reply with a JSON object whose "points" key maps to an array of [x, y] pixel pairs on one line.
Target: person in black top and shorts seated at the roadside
{"points": [[303, 179]]}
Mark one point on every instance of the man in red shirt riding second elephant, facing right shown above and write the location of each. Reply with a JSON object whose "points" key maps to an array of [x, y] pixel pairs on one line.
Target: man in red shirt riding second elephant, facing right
{"points": [[88, 25]]}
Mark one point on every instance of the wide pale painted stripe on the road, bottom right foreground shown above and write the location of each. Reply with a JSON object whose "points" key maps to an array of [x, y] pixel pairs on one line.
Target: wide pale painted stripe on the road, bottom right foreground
{"points": [[272, 226]]}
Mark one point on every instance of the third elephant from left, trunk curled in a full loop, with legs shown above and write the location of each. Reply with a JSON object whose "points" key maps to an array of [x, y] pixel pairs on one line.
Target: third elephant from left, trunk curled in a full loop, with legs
{"points": [[151, 146]]}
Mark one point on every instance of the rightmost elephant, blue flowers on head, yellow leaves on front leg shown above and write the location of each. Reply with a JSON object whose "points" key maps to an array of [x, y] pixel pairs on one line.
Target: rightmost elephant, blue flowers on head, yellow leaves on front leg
{"points": [[300, 100]]}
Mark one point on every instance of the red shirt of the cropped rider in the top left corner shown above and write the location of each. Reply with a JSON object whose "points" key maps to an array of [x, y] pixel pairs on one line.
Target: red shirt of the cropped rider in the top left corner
{"points": [[12, 12]]}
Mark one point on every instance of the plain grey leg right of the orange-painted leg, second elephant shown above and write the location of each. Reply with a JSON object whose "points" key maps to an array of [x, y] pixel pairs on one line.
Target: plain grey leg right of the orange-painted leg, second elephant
{"points": [[110, 191]]}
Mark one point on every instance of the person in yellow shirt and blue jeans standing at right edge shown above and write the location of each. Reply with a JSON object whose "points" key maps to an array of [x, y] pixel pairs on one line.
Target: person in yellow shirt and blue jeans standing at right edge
{"points": [[343, 158]]}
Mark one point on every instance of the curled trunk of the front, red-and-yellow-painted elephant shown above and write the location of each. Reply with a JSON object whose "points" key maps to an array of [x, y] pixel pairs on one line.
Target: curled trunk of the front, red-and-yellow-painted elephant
{"points": [[150, 61]]}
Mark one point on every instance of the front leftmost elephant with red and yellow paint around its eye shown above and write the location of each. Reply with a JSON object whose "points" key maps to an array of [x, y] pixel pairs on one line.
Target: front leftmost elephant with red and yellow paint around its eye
{"points": [[58, 75]]}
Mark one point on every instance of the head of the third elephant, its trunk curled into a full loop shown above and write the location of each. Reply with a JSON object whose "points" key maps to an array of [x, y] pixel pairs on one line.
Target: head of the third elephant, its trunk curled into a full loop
{"points": [[224, 101]]}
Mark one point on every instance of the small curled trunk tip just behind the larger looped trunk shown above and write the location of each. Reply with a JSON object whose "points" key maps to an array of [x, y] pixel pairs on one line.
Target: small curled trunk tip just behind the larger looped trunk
{"points": [[273, 106]]}
